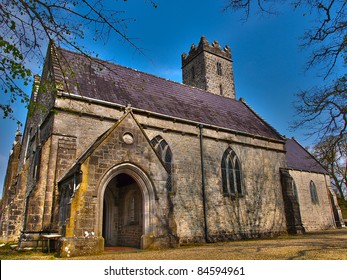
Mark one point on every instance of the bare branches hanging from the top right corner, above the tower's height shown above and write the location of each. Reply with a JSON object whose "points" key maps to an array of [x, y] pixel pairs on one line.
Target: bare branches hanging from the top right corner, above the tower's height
{"points": [[327, 37]]}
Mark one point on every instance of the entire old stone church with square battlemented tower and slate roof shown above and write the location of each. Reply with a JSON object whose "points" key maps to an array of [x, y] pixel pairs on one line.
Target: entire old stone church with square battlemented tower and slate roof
{"points": [[118, 157]]}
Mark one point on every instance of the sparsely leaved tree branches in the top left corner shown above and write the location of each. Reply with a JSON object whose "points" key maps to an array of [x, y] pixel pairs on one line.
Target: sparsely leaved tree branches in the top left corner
{"points": [[26, 27]]}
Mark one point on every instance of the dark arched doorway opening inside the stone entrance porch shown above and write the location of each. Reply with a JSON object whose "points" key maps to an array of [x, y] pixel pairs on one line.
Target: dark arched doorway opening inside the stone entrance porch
{"points": [[122, 212]]}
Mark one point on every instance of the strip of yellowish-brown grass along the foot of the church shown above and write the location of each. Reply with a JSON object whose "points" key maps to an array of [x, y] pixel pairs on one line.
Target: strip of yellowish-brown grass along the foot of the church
{"points": [[323, 245]]}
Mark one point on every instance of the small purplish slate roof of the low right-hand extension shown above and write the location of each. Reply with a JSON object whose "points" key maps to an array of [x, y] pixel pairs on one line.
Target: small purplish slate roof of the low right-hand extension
{"points": [[299, 158]]}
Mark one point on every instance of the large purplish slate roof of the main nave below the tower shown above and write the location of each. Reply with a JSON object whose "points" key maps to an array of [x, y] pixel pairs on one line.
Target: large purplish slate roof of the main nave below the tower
{"points": [[106, 81]]}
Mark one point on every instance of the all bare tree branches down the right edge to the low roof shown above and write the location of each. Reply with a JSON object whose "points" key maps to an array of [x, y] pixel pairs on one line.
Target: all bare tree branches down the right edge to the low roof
{"points": [[322, 111]]}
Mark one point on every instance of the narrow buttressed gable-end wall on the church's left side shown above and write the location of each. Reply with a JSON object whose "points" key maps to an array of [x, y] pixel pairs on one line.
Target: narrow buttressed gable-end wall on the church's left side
{"points": [[37, 161]]}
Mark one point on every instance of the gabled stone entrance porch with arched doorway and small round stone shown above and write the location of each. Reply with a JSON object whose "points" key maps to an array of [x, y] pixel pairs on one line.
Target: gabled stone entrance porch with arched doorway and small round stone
{"points": [[122, 177]]}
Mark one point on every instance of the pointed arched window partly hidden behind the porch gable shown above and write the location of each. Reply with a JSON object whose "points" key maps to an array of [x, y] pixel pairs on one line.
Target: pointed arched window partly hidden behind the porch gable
{"points": [[164, 153]]}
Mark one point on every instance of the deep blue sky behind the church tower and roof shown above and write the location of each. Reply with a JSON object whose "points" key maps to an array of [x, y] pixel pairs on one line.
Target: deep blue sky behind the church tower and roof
{"points": [[269, 65]]}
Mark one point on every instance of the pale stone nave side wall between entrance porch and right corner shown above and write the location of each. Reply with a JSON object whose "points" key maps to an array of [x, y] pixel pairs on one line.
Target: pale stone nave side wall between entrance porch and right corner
{"points": [[258, 213]]}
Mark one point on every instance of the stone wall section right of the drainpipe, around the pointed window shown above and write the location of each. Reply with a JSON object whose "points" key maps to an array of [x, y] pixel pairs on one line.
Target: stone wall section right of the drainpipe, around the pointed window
{"points": [[259, 211]]}
